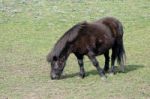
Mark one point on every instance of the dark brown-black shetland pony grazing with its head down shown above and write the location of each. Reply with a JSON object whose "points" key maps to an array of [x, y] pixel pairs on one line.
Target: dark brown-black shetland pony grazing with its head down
{"points": [[91, 39]]}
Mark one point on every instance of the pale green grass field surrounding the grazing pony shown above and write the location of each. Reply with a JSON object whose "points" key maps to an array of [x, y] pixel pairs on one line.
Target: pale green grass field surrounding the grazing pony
{"points": [[30, 28]]}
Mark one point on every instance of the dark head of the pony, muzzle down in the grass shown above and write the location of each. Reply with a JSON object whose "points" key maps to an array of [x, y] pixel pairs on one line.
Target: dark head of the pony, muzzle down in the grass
{"points": [[57, 66]]}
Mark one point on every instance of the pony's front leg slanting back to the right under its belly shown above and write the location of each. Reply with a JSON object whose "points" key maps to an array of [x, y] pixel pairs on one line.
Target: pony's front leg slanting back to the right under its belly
{"points": [[96, 64]]}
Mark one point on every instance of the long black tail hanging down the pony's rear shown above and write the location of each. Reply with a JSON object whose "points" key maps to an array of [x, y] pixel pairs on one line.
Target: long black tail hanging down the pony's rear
{"points": [[119, 48]]}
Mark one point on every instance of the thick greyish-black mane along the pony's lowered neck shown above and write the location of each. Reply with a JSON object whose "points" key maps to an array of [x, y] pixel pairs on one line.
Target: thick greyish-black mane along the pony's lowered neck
{"points": [[68, 37]]}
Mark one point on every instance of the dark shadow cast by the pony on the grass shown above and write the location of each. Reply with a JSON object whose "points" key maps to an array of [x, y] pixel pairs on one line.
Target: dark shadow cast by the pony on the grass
{"points": [[128, 68]]}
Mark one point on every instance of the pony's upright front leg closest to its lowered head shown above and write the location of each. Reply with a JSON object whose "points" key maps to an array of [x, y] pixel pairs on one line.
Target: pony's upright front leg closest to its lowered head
{"points": [[81, 65]]}
